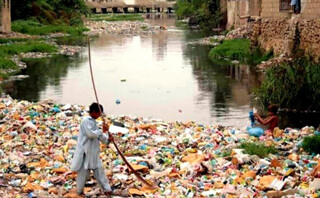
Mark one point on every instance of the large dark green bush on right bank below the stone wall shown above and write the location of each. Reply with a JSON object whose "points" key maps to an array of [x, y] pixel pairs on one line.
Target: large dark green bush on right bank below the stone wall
{"points": [[293, 85]]}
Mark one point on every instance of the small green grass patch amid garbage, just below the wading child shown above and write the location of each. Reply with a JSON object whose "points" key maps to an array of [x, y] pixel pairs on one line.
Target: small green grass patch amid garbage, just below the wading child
{"points": [[258, 149]]}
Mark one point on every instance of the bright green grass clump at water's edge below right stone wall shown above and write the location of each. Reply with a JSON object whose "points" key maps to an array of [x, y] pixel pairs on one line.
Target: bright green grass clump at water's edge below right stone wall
{"points": [[237, 49]]}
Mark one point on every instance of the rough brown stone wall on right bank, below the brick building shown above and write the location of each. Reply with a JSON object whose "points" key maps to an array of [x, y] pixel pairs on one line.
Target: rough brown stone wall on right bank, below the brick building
{"points": [[284, 36]]}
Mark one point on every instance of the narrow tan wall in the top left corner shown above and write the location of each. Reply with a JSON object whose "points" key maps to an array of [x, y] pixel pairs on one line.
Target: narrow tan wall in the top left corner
{"points": [[5, 16]]}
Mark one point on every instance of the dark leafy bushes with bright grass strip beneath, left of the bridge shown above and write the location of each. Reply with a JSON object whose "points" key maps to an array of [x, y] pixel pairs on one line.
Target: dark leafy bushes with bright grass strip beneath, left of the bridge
{"points": [[42, 17]]}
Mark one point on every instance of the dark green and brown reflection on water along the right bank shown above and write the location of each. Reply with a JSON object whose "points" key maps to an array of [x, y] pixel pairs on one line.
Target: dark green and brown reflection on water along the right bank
{"points": [[226, 86]]}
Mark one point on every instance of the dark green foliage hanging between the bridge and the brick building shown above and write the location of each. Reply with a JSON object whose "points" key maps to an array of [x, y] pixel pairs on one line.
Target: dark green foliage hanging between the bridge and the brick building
{"points": [[205, 13]]}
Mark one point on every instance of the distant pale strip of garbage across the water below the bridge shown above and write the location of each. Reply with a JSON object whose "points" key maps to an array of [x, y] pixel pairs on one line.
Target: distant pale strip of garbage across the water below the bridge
{"points": [[124, 28]]}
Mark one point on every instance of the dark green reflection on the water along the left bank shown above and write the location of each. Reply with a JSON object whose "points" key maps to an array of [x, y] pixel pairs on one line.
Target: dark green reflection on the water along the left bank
{"points": [[44, 73]]}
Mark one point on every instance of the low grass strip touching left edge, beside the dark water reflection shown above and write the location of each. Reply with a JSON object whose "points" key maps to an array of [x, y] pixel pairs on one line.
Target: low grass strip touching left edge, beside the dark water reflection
{"points": [[29, 46]]}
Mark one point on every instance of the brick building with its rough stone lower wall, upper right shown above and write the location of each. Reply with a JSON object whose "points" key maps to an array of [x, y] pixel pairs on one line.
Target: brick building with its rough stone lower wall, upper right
{"points": [[279, 26]]}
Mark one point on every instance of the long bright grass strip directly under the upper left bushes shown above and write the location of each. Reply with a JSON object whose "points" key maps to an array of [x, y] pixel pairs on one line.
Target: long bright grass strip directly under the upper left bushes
{"points": [[35, 28]]}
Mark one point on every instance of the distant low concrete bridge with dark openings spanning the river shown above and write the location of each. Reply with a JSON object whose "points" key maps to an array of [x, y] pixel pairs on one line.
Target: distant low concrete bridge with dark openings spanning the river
{"points": [[125, 6]]}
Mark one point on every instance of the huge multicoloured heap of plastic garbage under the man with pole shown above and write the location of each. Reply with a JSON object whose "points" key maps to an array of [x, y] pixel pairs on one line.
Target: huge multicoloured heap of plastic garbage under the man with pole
{"points": [[181, 159]]}
